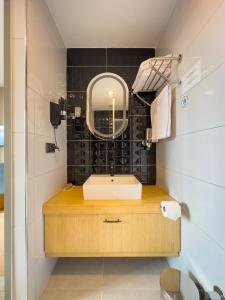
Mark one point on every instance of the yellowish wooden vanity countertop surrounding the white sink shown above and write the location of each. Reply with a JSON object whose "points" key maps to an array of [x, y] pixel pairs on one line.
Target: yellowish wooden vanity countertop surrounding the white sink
{"points": [[72, 202]]}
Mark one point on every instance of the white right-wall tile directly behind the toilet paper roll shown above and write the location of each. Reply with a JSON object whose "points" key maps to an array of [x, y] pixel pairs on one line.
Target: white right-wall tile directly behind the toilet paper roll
{"points": [[203, 202]]}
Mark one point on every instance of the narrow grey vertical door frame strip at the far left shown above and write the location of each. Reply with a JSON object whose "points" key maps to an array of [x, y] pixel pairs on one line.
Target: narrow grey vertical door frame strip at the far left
{"points": [[8, 175]]}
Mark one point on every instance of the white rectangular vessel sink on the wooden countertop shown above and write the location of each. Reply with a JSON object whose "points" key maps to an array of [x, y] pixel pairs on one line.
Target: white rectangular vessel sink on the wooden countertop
{"points": [[117, 187]]}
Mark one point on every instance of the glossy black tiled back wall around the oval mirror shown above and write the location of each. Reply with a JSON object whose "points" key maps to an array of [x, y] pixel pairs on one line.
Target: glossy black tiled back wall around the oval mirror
{"points": [[87, 154]]}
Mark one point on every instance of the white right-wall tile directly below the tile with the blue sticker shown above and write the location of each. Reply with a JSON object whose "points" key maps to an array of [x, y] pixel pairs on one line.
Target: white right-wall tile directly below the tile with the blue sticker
{"points": [[203, 159]]}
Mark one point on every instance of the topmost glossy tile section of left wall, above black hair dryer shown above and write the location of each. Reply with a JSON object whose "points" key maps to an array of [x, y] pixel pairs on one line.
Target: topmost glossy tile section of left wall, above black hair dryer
{"points": [[46, 59]]}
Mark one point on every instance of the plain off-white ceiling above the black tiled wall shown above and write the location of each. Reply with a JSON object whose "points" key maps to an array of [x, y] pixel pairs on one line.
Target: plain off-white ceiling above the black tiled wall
{"points": [[111, 23]]}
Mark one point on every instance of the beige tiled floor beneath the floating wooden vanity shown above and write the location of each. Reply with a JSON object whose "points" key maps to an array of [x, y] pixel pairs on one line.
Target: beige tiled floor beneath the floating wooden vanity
{"points": [[105, 279]]}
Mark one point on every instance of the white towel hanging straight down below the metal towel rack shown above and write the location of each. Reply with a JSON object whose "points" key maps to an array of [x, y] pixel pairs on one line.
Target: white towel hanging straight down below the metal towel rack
{"points": [[161, 115]]}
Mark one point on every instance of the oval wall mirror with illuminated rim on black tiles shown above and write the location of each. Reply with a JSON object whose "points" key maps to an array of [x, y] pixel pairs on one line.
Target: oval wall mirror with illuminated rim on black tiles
{"points": [[107, 106]]}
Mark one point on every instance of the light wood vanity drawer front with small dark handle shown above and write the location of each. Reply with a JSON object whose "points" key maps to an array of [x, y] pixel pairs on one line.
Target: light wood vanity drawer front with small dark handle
{"points": [[111, 235]]}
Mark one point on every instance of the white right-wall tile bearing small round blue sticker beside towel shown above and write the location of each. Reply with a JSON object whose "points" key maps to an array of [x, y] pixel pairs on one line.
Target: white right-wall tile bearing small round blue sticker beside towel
{"points": [[207, 98]]}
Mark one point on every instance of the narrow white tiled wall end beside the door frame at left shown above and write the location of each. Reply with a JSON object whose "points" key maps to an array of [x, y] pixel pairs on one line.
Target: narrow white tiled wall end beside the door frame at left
{"points": [[18, 54]]}
